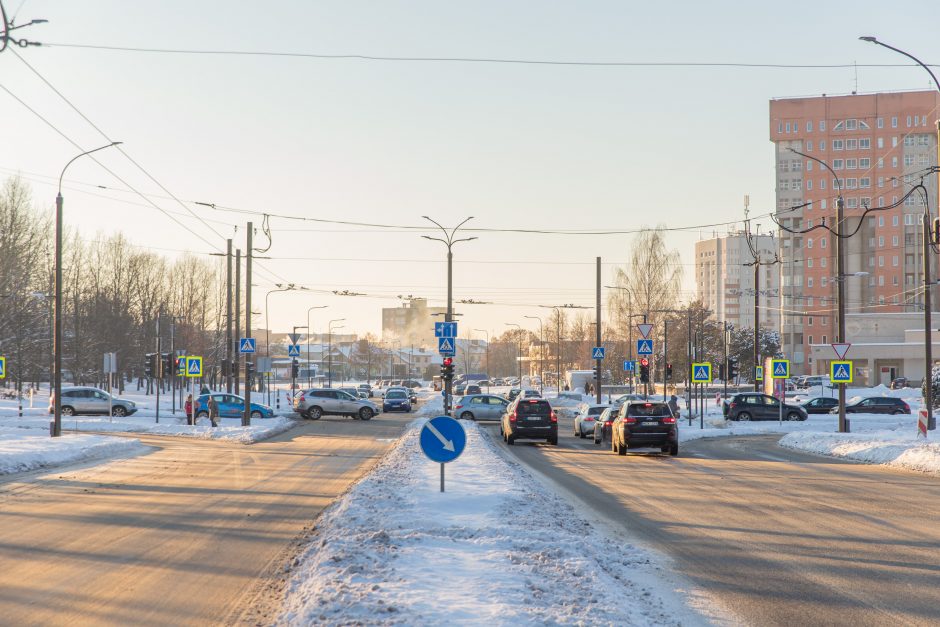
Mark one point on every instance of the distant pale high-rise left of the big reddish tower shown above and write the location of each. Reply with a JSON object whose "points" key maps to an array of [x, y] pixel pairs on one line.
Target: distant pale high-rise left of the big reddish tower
{"points": [[725, 285]]}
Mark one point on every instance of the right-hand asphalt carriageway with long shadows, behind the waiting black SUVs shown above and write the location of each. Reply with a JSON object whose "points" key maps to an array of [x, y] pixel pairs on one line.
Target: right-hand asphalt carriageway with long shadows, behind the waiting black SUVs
{"points": [[776, 536]]}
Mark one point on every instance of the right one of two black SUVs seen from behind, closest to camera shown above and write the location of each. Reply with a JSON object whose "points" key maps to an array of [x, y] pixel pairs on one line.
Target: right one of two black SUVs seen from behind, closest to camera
{"points": [[649, 424]]}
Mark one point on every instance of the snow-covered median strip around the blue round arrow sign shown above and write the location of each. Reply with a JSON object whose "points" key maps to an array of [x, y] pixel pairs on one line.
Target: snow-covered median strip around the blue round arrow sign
{"points": [[496, 548]]}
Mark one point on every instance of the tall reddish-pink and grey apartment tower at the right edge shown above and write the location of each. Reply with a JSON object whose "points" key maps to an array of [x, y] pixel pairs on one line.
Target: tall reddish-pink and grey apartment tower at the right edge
{"points": [[878, 147]]}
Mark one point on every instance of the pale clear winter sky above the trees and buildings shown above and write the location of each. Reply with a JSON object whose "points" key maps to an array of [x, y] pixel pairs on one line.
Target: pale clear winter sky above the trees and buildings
{"points": [[383, 143]]}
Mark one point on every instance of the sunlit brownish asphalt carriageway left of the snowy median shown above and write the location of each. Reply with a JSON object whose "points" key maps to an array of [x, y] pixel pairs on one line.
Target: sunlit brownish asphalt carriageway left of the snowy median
{"points": [[194, 533]]}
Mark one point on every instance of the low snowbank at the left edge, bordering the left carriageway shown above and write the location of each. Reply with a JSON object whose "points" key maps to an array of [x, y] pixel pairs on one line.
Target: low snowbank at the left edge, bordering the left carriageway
{"points": [[23, 449]]}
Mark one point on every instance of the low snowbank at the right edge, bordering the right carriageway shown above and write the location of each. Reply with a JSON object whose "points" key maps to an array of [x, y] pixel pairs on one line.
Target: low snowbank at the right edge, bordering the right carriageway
{"points": [[880, 447]]}
